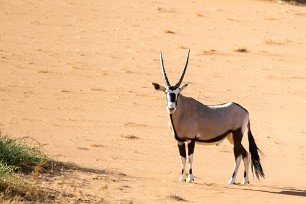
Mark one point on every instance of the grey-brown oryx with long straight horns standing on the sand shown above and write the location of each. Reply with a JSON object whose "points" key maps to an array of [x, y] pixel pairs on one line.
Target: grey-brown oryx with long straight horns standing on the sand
{"points": [[191, 121]]}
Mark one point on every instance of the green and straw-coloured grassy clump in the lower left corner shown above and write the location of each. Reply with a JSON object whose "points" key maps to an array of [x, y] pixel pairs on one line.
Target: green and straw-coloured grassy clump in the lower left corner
{"points": [[17, 157]]}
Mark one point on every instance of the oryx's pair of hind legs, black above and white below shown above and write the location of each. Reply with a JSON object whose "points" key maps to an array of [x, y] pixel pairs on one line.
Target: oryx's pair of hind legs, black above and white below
{"points": [[239, 153]]}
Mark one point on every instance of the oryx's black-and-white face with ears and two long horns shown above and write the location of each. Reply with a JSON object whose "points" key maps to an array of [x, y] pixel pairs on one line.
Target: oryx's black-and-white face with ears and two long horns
{"points": [[172, 92]]}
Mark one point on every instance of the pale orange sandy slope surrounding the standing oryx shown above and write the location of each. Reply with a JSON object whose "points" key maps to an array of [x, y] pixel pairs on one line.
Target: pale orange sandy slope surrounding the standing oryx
{"points": [[76, 76]]}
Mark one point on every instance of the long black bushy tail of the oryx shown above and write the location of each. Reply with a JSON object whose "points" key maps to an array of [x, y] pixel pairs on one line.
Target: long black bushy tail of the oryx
{"points": [[255, 160]]}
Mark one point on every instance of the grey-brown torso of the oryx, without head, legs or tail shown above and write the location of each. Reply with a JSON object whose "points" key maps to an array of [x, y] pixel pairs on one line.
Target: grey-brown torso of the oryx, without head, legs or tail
{"points": [[194, 120]]}
